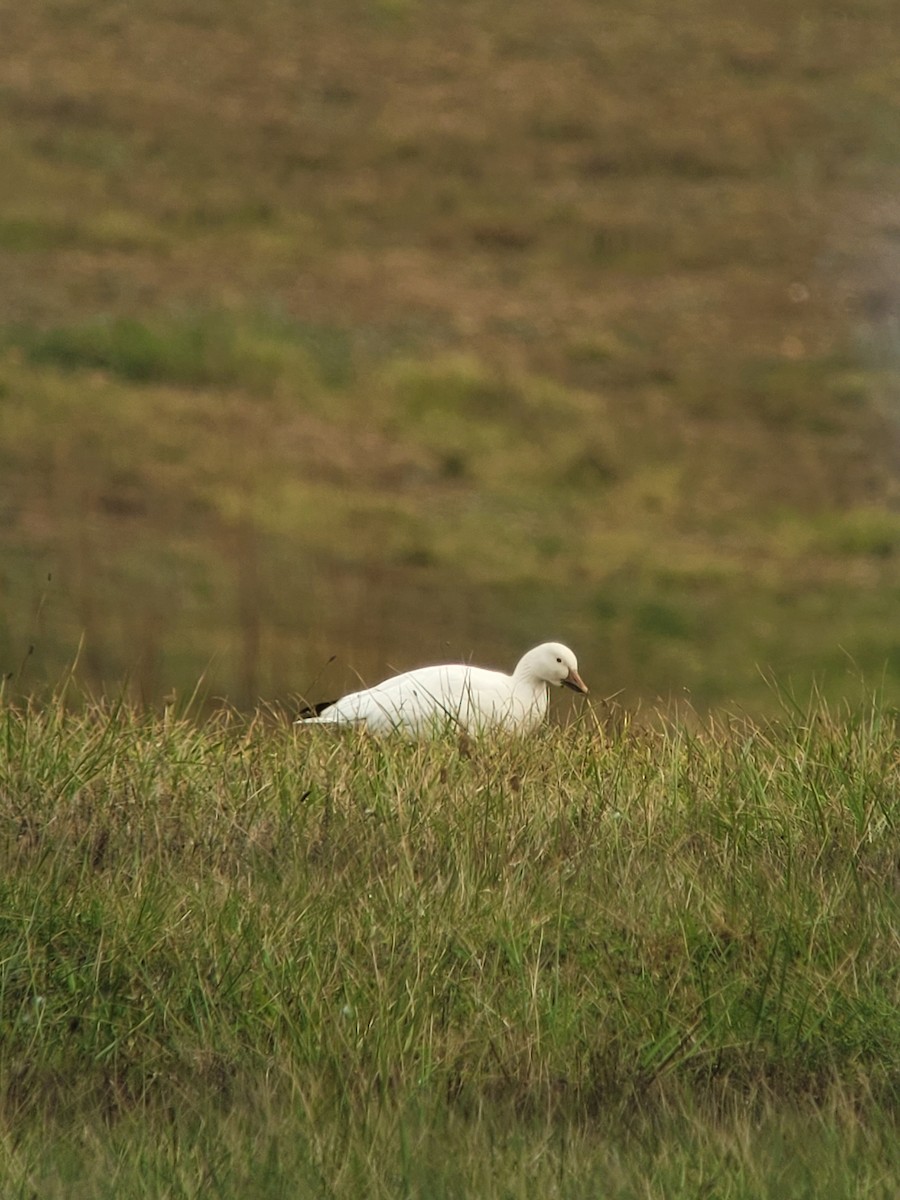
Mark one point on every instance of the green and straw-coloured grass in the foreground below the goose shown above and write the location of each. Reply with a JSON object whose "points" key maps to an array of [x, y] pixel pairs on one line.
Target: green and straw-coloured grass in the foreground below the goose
{"points": [[623, 959]]}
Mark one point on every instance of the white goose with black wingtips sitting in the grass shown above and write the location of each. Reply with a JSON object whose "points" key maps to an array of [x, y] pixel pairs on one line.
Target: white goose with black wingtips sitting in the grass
{"points": [[458, 697]]}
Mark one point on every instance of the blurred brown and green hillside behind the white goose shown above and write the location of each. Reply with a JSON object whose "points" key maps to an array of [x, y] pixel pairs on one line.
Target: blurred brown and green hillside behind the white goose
{"points": [[400, 332]]}
